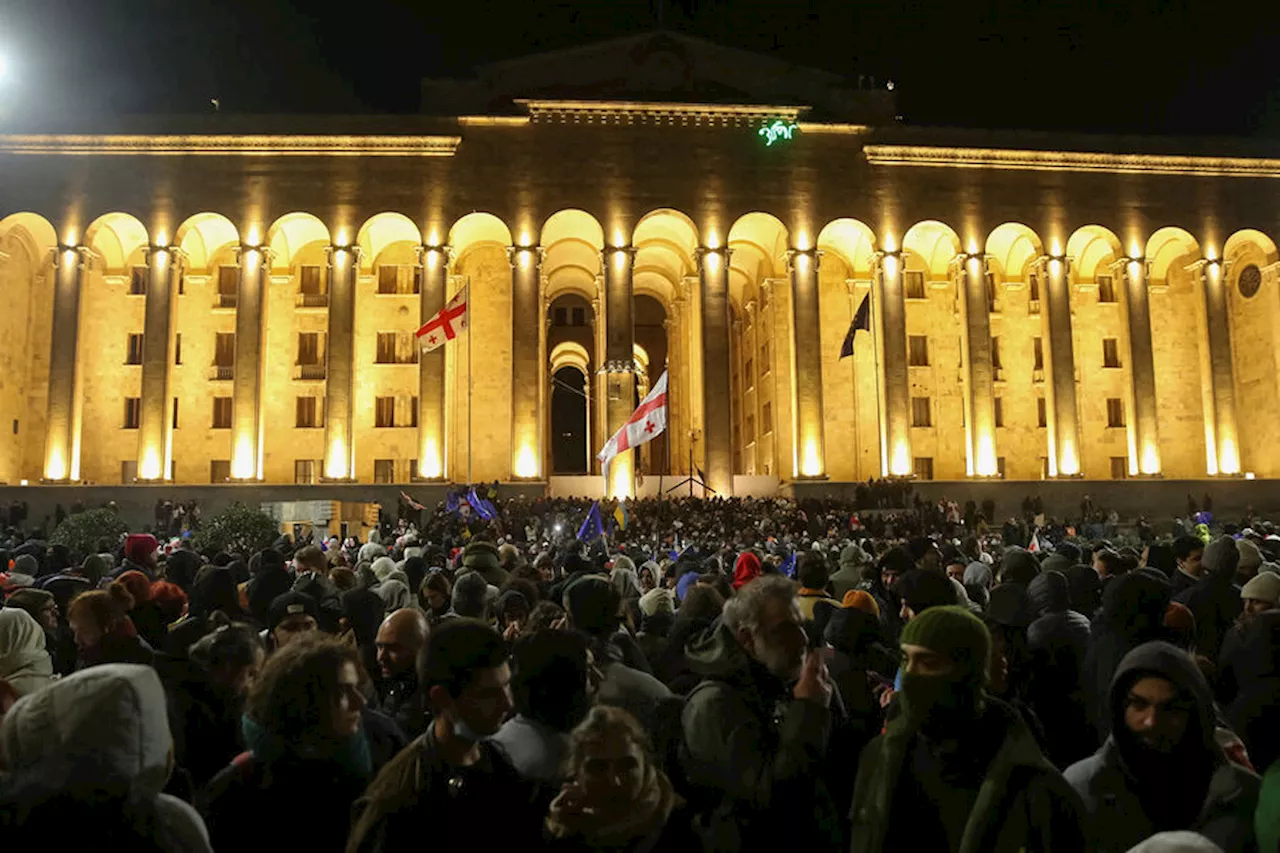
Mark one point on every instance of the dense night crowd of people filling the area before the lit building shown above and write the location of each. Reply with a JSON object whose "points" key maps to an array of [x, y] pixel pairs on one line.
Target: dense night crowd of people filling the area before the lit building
{"points": [[703, 676]]}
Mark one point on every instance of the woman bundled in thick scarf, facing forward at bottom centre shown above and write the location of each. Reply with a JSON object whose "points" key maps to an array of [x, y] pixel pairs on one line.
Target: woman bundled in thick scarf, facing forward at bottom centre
{"points": [[619, 799]]}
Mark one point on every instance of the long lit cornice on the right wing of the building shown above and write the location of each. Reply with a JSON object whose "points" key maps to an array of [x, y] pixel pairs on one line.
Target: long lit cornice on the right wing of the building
{"points": [[913, 156]]}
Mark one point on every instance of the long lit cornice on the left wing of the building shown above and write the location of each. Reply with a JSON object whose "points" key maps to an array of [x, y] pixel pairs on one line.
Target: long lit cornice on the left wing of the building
{"points": [[231, 145]]}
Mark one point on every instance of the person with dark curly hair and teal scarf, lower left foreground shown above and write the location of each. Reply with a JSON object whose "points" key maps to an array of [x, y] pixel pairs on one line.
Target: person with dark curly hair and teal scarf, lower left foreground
{"points": [[312, 752]]}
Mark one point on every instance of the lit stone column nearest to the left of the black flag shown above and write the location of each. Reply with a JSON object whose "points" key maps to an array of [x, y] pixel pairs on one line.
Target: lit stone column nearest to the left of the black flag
{"points": [[807, 340]]}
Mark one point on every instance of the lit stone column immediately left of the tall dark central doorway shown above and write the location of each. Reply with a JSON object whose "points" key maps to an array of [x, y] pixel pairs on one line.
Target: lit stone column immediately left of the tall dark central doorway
{"points": [[527, 376]]}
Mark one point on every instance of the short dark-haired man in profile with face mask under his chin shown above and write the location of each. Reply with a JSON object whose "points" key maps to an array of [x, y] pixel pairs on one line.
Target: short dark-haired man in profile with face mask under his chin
{"points": [[445, 787]]}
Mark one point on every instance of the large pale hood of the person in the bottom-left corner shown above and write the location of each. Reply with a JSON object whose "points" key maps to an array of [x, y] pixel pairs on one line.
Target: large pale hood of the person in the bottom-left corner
{"points": [[106, 723]]}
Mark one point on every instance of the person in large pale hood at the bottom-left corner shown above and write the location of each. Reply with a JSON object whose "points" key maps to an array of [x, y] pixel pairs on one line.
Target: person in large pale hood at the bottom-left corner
{"points": [[88, 759]]}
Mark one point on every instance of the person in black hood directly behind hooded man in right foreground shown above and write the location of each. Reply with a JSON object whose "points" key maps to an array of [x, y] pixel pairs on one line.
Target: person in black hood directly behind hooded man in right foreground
{"points": [[1133, 613]]}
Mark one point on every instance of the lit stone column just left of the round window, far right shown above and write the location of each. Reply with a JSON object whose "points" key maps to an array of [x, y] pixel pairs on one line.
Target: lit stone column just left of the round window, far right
{"points": [[1219, 375]]}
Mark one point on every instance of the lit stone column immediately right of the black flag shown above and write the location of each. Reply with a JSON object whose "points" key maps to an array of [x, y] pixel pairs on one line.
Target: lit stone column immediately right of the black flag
{"points": [[897, 416]]}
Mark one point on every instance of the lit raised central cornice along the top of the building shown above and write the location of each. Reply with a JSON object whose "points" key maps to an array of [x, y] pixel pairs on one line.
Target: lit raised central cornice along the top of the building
{"points": [[655, 113]]}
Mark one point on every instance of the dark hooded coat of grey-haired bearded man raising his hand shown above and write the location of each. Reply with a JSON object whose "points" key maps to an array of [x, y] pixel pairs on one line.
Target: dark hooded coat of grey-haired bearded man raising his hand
{"points": [[753, 752]]}
